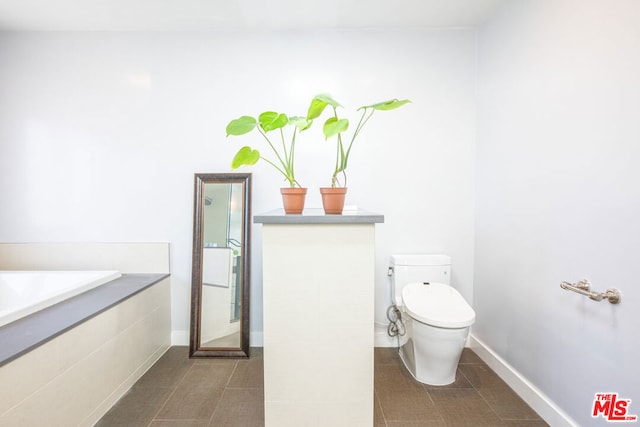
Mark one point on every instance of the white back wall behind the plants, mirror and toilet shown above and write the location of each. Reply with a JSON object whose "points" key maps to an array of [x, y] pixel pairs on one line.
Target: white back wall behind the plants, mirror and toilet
{"points": [[101, 133]]}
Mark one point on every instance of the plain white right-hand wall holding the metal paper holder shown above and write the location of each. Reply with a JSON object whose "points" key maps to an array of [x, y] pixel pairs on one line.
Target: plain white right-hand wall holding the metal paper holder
{"points": [[558, 196]]}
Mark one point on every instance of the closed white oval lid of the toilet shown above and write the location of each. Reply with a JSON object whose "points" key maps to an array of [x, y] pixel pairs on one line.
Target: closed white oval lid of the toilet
{"points": [[437, 304]]}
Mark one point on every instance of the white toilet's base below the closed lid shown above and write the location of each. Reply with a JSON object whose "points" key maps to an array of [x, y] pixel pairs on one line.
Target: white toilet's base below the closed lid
{"points": [[432, 354]]}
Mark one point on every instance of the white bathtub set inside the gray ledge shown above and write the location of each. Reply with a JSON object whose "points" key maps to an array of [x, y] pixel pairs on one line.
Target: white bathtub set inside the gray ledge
{"points": [[26, 292]]}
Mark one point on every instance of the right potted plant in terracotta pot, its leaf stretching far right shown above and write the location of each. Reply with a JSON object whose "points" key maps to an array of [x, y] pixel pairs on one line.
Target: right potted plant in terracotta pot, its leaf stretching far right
{"points": [[333, 197]]}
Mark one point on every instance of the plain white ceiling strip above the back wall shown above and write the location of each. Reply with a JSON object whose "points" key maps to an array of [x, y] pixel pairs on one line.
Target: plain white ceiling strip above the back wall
{"points": [[178, 15]]}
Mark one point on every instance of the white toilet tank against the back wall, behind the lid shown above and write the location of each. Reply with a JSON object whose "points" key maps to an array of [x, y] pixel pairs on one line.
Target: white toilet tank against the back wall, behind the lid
{"points": [[407, 269]]}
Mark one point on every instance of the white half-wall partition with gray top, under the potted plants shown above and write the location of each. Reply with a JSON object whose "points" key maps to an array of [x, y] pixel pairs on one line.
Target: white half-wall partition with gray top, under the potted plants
{"points": [[318, 296]]}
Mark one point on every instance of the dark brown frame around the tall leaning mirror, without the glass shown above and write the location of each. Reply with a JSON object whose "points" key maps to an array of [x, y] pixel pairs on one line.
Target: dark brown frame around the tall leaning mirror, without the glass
{"points": [[195, 350]]}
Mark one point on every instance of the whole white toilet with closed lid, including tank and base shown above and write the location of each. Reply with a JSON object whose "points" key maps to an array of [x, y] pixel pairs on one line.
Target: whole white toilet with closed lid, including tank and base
{"points": [[435, 318]]}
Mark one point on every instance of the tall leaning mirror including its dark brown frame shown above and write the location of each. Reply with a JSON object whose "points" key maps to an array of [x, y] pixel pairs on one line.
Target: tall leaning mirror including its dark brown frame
{"points": [[220, 275]]}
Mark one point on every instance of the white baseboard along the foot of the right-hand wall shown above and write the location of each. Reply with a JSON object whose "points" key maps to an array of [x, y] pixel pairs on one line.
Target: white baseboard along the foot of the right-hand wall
{"points": [[540, 403]]}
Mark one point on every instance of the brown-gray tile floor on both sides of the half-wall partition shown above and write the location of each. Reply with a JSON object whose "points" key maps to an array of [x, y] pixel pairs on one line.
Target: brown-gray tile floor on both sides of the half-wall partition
{"points": [[182, 392]]}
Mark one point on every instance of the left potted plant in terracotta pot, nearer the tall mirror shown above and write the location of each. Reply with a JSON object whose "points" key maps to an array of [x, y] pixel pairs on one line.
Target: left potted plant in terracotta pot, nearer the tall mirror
{"points": [[283, 151]]}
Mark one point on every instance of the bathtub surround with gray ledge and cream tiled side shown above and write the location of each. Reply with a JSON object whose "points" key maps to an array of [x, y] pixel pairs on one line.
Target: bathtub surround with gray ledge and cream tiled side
{"points": [[85, 353]]}
